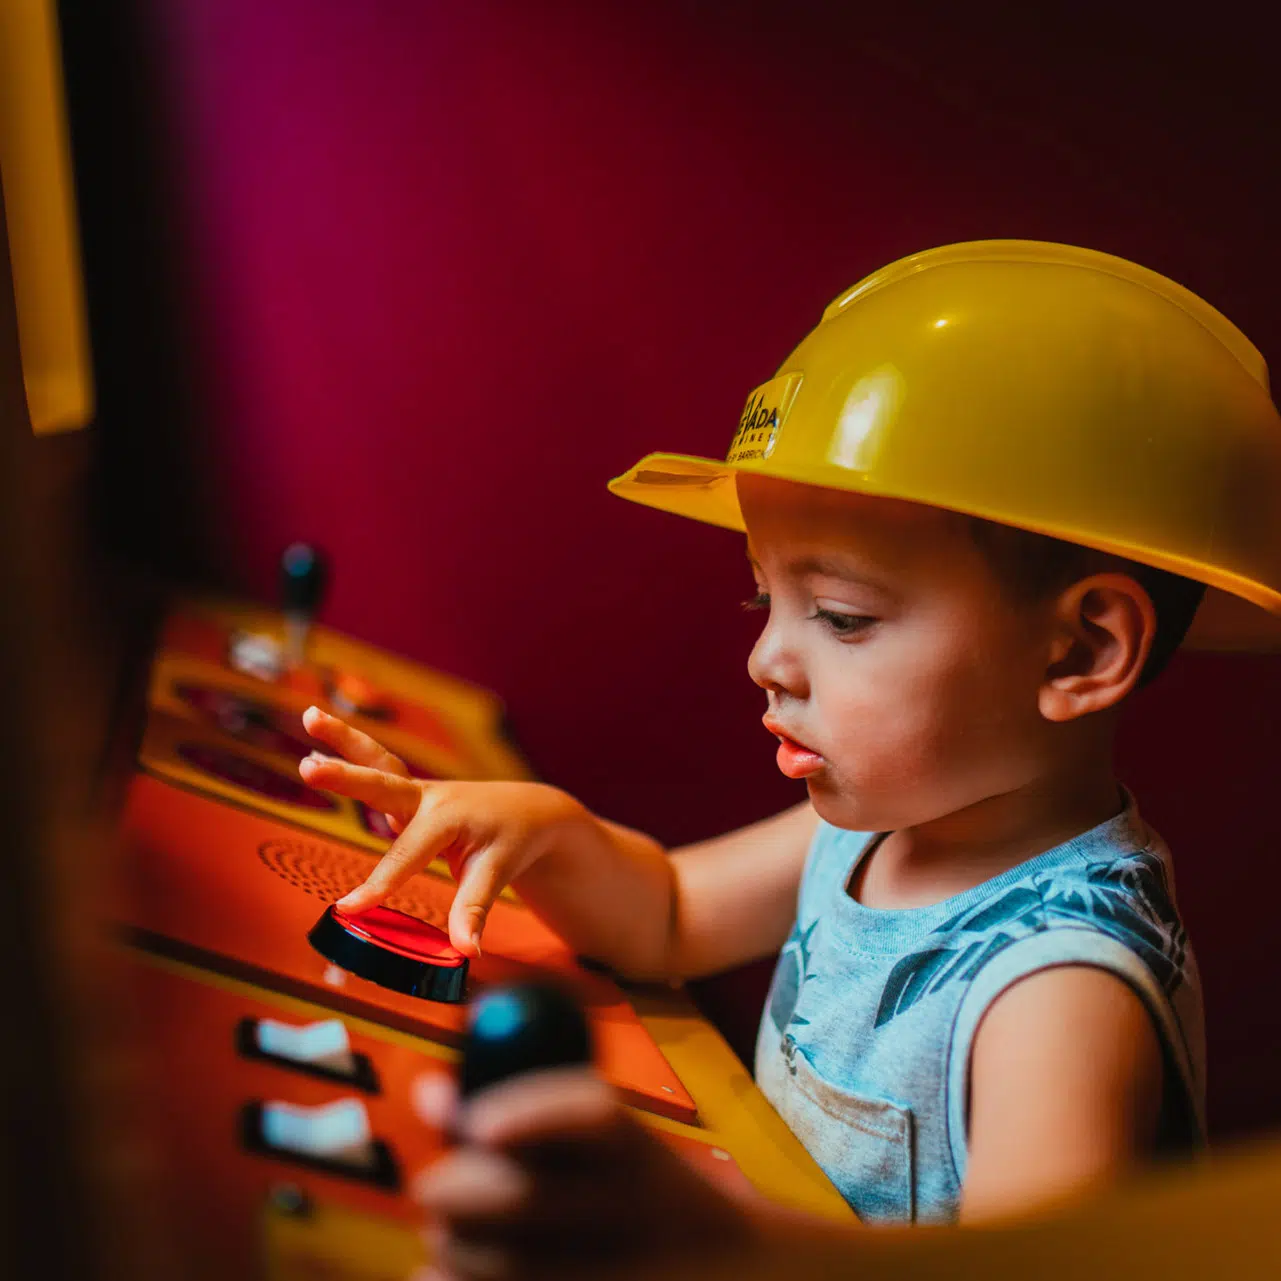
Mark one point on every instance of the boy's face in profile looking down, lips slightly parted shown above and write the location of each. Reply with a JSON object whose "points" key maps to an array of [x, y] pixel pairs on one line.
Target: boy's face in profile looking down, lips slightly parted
{"points": [[893, 654]]}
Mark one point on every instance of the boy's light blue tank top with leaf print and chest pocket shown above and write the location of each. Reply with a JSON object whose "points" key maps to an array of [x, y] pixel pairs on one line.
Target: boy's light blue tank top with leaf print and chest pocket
{"points": [[865, 1043]]}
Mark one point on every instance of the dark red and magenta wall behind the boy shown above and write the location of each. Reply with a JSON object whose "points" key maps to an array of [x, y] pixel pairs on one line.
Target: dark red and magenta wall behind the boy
{"points": [[452, 267]]}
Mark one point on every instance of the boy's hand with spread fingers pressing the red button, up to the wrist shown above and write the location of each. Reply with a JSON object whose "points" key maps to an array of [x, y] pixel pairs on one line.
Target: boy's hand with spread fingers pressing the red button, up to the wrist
{"points": [[487, 833]]}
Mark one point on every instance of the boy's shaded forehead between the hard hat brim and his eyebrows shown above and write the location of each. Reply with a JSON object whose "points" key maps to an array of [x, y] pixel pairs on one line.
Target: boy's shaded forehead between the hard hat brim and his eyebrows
{"points": [[782, 514]]}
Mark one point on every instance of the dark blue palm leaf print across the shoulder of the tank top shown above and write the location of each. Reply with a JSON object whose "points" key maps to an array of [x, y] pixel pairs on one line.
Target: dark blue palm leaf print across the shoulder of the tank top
{"points": [[1128, 900]]}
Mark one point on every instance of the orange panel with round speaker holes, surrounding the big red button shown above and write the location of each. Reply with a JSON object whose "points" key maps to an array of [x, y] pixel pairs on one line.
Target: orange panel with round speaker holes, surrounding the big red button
{"points": [[239, 892]]}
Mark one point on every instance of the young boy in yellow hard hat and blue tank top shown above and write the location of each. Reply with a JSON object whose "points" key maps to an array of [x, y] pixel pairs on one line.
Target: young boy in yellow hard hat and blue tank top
{"points": [[982, 502]]}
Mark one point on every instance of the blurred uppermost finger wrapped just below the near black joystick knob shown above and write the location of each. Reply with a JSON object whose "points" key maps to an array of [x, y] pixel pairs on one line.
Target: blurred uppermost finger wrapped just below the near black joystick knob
{"points": [[553, 1104]]}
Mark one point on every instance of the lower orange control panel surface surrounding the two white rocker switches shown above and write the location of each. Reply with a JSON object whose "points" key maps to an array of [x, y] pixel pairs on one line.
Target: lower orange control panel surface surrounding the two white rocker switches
{"points": [[218, 1192]]}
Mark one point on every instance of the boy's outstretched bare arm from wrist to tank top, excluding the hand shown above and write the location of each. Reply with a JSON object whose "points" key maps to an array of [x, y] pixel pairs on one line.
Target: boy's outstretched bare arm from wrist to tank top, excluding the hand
{"points": [[616, 895]]}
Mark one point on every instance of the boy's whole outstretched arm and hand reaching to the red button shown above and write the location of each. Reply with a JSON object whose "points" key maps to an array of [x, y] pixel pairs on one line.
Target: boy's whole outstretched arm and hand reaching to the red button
{"points": [[610, 892]]}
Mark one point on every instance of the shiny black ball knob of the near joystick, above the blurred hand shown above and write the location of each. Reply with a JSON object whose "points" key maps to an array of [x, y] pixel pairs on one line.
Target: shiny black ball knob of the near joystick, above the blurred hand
{"points": [[521, 1029]]}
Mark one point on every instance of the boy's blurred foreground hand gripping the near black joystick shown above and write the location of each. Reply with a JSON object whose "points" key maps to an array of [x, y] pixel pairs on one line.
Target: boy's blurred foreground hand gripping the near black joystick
{"points": [[553, 1179]]}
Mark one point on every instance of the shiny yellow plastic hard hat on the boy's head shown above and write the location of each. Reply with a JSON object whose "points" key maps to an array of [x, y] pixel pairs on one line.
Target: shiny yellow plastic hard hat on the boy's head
{"points": [[1055, 389]]}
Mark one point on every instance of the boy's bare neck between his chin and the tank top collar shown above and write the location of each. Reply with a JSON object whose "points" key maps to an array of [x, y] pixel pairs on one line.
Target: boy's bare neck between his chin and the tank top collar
{"points": [[924, 865]]}
